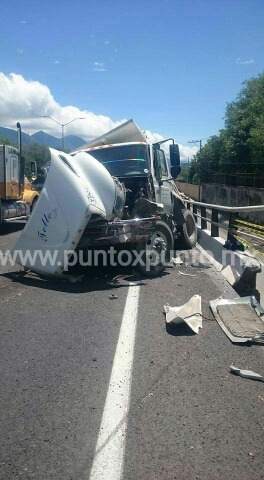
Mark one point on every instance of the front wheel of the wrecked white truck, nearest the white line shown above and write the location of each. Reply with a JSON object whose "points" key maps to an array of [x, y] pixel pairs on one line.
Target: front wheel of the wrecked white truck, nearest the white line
{"points": [[157, 251]]}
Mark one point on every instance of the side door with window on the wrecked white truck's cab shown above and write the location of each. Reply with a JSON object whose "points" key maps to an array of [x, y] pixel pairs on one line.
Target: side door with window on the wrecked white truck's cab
{"points": [[162, 192]]}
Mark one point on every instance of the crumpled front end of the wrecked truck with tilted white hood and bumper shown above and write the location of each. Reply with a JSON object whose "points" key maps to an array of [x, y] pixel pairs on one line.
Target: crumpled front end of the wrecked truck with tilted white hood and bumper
{"points": [[81, 205]]}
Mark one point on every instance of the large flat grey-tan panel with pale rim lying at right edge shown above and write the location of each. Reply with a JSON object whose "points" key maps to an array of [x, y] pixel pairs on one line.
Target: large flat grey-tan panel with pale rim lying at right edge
{"points": [[242, 319]]}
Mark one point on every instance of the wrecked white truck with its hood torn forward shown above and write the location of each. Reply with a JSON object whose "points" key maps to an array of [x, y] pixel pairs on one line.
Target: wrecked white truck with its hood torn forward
{"points": [[117, 190]]}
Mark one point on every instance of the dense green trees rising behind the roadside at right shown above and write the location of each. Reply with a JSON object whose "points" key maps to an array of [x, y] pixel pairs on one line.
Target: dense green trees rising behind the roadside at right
{"points": [[239, 147]]}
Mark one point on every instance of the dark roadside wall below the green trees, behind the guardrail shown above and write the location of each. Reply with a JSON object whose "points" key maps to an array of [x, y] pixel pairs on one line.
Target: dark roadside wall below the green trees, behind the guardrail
{"points": [[234, 196]]}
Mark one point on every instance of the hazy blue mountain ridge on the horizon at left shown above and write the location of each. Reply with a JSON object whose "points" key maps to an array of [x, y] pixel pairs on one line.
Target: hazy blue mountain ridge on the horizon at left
{"points": [[71, 142]]}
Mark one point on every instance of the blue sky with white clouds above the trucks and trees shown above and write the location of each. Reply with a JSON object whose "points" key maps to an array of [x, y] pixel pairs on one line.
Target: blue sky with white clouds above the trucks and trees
{"points": [[171, 65]]}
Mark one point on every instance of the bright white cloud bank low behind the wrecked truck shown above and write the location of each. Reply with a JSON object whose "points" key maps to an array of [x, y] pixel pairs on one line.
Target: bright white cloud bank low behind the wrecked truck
{"points": [[25, 100]]}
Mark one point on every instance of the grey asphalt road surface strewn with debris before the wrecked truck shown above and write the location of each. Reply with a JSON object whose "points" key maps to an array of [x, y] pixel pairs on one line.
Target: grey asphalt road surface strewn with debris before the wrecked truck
{"points": [[99, 388]]}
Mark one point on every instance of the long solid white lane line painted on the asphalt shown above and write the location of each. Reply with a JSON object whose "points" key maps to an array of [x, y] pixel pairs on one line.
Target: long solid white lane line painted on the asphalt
{"points": [[110, 447]]}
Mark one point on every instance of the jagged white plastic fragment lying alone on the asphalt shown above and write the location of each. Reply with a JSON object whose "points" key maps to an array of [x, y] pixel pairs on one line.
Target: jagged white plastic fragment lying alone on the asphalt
{"points": [[189, 313]]}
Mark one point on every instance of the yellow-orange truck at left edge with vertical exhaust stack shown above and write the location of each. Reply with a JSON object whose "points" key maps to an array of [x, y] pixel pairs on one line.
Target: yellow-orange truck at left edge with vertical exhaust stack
{"points": [[17, 199]]}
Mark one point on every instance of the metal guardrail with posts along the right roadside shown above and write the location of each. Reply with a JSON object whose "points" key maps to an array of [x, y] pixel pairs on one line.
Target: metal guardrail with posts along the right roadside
{"points": [[233, 226]]}
